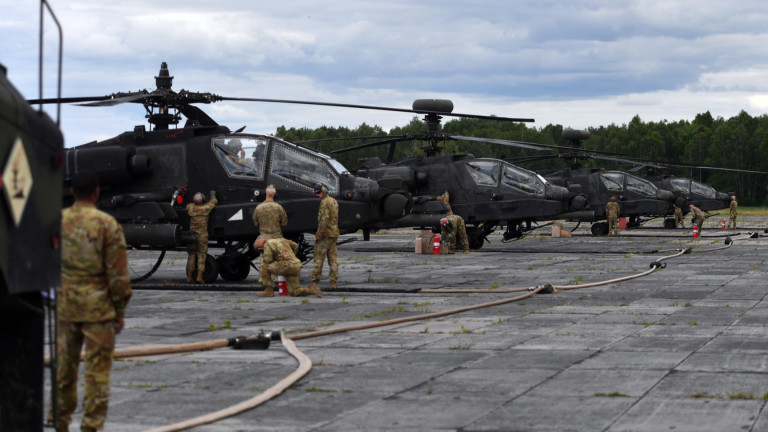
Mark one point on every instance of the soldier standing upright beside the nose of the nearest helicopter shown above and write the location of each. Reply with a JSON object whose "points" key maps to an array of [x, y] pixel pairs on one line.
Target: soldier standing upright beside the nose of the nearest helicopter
{"points": [[325, 238]]}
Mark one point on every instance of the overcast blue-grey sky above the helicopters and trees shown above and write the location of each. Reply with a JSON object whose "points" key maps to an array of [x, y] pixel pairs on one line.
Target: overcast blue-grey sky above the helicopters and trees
{"points": [[577, 63]]}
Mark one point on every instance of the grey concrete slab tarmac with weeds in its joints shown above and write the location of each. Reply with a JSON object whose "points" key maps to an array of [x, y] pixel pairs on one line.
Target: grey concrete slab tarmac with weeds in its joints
{"points": [[683, 348]]}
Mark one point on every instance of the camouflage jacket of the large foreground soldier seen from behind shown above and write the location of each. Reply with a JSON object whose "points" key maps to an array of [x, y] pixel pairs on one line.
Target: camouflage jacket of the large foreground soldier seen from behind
{"points": [[95, 285]]}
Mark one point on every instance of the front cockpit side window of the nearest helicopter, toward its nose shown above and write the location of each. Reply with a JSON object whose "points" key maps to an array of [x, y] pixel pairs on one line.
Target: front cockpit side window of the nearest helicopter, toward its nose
{"points": [[302, 168]]}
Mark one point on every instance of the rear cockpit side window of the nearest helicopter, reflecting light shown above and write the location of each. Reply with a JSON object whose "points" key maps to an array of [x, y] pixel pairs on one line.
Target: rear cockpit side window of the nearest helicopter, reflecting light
{"points": [[242, 156]]}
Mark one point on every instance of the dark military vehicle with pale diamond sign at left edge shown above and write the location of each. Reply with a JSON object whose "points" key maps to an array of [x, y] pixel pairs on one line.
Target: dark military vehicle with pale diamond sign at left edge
{"points": [[31, 146]]}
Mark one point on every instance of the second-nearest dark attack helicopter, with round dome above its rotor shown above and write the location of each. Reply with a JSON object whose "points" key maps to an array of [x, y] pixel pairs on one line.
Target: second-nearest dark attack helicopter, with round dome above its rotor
{"points": [[485, 192]]}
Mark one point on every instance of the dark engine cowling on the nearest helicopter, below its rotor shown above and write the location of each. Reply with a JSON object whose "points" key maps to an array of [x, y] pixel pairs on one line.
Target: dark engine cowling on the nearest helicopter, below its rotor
{"points": [[114, 165]]}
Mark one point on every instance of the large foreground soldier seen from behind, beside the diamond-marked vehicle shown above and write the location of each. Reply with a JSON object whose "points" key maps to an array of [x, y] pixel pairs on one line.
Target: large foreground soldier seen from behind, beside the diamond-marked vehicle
{"points": [[95, 289]]}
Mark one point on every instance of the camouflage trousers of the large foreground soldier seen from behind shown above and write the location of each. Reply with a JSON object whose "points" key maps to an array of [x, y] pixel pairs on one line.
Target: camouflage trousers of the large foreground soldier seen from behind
{"points": [[99, 338]]}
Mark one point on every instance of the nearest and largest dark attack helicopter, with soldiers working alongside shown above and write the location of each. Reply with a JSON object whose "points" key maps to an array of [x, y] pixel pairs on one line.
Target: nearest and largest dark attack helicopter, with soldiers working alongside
{"points": [[148, 176]]}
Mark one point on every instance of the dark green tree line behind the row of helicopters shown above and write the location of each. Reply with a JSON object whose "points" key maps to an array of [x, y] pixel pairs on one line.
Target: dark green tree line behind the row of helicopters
{"points": [[738, 143]]}
